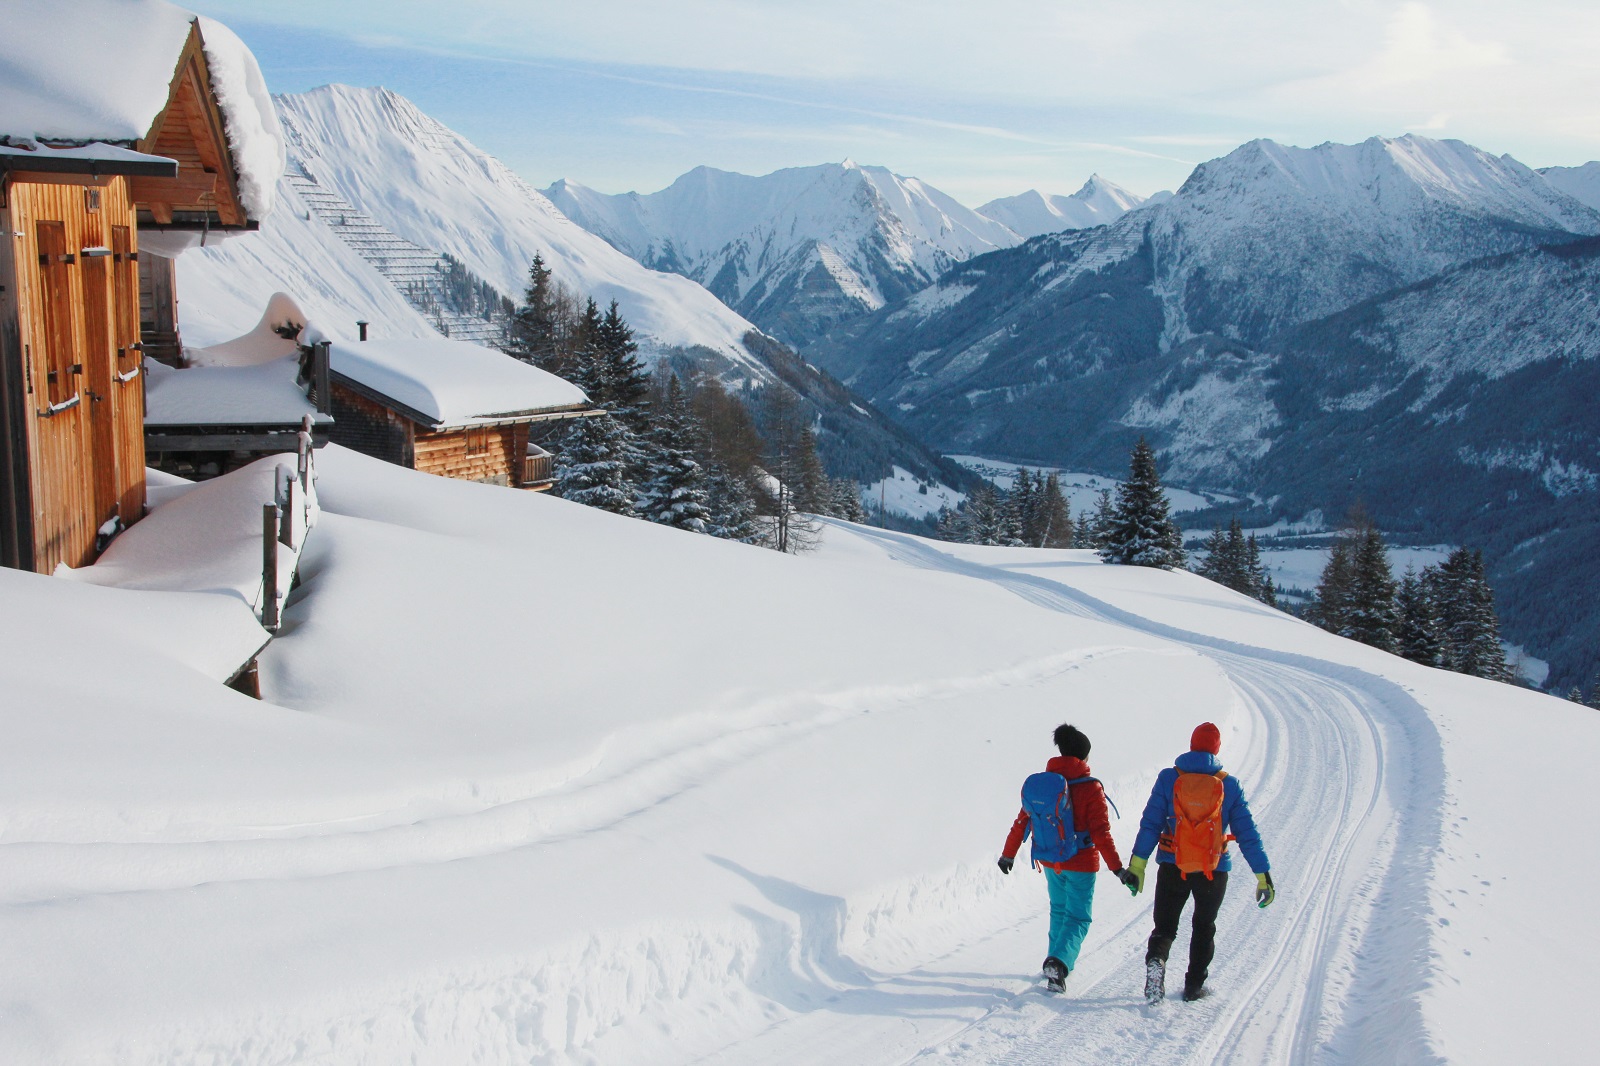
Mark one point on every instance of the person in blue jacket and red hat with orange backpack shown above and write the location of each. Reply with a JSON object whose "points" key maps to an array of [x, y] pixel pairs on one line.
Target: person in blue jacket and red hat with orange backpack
{"points": [[1194, 859]]}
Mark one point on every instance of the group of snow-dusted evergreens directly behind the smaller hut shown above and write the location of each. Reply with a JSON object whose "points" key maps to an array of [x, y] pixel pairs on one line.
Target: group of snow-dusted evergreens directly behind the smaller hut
{"points": [[690, 455]]}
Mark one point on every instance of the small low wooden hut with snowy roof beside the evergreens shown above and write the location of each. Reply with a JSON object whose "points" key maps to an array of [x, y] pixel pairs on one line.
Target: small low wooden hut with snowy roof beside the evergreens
{"points": [[449, 407]]}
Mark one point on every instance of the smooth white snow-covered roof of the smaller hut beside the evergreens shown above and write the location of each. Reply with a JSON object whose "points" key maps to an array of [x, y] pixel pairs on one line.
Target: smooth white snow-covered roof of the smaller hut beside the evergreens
{"points": [[452, 383]]}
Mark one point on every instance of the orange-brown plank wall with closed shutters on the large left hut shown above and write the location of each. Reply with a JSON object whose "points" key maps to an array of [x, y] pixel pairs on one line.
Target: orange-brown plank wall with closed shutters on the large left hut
{"points": [[81, 390]]}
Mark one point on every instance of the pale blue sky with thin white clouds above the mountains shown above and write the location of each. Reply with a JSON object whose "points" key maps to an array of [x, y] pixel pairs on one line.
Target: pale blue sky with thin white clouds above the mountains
{"points": [[980, 100]]}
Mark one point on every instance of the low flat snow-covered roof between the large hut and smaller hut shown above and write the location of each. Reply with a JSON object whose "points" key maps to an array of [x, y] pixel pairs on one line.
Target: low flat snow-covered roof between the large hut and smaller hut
{"points": [[260, 395]]}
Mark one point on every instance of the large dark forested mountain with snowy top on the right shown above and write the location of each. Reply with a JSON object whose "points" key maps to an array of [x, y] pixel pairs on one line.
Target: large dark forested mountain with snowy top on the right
{"points": [[1404, 323]]}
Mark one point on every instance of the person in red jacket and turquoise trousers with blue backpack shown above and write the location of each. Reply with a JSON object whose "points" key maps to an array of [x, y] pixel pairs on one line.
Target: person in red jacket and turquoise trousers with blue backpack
{"points": [[1070, 862]]}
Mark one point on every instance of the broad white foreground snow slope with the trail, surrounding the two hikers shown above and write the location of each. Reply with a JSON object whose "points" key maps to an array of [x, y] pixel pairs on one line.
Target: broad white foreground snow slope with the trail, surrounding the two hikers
{"points": [[462, 832]]}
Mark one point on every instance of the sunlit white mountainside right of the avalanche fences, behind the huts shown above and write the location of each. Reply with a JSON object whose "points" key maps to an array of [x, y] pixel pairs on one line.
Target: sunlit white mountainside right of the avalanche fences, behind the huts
{"points": [[439, 191]]}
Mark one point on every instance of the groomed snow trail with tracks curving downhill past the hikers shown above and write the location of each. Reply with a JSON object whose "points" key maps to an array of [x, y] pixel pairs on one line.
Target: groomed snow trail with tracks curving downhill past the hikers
{"points": [[1334, 971]]}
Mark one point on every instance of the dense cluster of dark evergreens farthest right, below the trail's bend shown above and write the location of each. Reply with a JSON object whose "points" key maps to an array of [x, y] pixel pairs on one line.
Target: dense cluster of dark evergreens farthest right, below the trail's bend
{"points": [[1442, 617]]}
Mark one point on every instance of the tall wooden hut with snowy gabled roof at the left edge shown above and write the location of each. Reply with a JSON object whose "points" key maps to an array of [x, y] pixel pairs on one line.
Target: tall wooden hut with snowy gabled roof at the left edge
{"points": [[129, 130]]}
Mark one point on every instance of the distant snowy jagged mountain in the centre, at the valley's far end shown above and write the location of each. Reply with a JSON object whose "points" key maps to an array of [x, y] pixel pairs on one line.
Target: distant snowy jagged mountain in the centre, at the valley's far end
{"points": [[796, 250]]}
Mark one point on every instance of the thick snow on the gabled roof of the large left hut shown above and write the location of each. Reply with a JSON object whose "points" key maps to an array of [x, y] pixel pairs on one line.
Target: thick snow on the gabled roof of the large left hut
{"points": [[102, 71]]}
